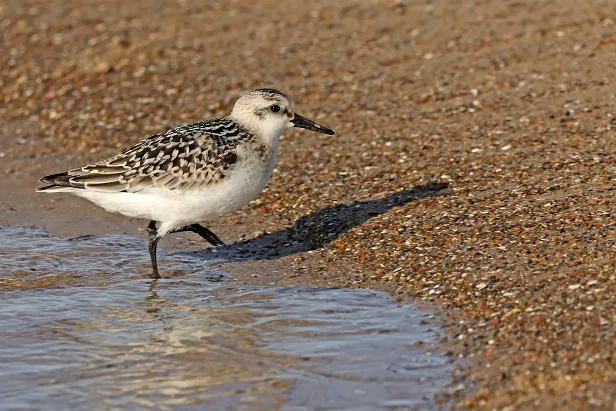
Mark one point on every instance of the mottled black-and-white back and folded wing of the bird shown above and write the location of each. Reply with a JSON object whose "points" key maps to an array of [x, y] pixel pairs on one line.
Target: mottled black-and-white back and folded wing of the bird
{"points": [[184, 159]]}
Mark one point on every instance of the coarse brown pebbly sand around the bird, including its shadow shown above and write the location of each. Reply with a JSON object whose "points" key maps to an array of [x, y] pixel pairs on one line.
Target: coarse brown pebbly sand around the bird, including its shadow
{"points": [[473, 165]]}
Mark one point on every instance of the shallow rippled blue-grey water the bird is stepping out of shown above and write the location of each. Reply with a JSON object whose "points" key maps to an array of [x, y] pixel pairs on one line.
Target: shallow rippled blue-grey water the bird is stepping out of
{"points": [[81, 327]]}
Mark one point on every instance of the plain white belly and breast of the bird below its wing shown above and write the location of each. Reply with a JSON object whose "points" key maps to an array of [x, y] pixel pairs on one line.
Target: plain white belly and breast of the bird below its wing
{"points": [[176, 210]]}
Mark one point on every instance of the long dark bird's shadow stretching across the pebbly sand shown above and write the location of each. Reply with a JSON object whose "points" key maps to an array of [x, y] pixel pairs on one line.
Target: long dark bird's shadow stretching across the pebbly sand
{"points": [[316, 229]]}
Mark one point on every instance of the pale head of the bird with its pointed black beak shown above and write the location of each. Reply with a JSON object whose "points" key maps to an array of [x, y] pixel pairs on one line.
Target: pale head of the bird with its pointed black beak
{"points": [[269, 112]]}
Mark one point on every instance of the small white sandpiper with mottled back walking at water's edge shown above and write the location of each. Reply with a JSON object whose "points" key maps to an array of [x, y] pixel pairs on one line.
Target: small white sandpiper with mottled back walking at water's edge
{"points": [[190, 174]]}
